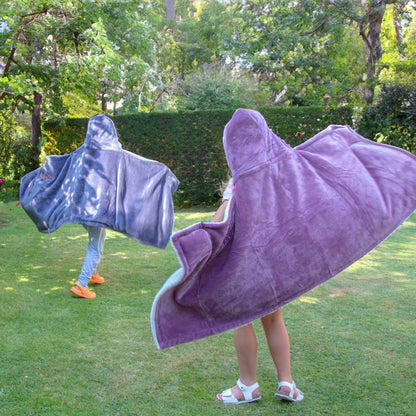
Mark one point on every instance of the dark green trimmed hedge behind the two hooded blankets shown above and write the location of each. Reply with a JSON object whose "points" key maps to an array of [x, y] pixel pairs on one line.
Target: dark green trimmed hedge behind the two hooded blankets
{"points": [[190, 143]]}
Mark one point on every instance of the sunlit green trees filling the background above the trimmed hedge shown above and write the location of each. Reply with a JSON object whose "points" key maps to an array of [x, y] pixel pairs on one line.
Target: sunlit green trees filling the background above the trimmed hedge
{"points": [[83, 57]]}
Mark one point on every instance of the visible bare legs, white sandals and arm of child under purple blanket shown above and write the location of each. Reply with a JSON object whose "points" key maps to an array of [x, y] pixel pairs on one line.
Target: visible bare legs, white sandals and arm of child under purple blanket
{"points": [[245, 341]]}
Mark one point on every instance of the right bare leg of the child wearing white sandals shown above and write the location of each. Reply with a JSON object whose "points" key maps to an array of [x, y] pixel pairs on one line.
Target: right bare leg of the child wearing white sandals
{"points": [[279, 346]]}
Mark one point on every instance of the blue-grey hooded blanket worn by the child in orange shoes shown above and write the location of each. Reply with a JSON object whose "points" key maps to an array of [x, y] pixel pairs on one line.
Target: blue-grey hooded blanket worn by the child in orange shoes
{"points": [[101, 184]]}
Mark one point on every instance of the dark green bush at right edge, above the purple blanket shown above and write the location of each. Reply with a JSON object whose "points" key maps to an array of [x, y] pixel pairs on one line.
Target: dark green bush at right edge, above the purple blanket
{"points": [[392, 119]]}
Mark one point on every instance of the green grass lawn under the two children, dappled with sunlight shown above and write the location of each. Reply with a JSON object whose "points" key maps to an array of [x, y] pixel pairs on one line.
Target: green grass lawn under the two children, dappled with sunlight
{"points": [[353, 338]]}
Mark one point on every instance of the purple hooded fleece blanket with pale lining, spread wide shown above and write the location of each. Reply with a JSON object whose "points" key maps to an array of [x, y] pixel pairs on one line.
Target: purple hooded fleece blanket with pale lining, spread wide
{"points": [[297, 217]]}
